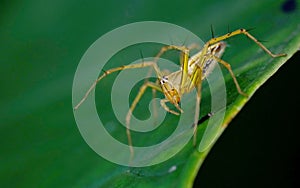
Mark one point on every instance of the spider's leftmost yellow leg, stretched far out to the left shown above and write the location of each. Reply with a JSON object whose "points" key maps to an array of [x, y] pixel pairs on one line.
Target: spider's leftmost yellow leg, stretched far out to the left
{"points": [[132, 66]]}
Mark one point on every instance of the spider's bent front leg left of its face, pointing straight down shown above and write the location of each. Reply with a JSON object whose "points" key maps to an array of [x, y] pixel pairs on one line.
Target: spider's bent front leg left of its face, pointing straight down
{"points": [[132, 107]]}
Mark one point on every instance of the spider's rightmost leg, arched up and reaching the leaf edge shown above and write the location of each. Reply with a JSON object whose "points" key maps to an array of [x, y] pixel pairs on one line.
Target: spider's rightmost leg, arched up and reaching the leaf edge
{"points": [[245, 32]]}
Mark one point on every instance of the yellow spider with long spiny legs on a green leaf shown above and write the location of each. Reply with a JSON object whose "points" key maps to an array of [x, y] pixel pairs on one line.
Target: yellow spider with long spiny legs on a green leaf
{"points": [[190, 76]]}
